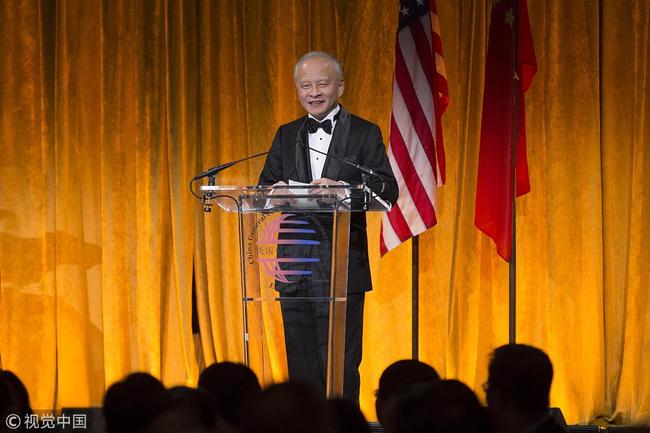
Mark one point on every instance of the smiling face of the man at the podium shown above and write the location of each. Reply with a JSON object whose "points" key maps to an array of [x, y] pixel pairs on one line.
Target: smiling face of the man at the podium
{"points": [[317, 86]]}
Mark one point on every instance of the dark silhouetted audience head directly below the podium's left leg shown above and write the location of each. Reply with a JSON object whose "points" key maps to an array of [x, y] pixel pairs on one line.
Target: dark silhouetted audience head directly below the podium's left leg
{"points": [[231, 386]]}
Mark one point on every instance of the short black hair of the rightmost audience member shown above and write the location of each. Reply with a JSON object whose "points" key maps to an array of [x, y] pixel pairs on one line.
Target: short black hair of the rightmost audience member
{"points": [[522, 374]]}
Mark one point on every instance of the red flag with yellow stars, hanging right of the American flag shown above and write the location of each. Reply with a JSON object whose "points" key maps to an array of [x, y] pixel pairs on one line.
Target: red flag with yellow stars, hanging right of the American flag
{"points": [[493, 214]]}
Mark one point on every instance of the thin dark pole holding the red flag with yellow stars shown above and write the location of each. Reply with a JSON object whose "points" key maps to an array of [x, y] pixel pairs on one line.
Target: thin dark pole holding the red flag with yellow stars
{"points": [[512, 277]]}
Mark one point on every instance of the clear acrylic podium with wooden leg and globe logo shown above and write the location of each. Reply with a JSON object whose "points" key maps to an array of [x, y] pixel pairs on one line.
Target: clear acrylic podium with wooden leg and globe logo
{"points": [[293, 239]]}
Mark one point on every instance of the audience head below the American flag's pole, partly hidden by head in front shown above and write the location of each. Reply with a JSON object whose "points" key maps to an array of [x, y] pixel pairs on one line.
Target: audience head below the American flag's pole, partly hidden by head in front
{"points": [[396, 382]]}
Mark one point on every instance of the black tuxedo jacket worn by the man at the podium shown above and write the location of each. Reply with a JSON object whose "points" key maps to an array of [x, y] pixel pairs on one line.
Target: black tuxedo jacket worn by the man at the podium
{"points": [[354, 139]]}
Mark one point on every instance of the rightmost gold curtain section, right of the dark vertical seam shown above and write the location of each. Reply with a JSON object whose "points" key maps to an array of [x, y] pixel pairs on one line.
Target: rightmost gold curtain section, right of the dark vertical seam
{"points": [[625, 136]]}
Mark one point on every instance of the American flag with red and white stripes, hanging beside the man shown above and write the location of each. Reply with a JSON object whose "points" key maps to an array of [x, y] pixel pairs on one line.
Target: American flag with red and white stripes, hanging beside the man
{"points": [[420, 95]]}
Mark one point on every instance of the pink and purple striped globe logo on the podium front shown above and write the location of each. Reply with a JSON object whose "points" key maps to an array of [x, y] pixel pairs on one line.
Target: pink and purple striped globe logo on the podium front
{"points": [[272, 235]]}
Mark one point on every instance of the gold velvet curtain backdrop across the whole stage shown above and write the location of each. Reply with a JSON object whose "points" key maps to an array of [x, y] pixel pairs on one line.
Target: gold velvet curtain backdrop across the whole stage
{"points": [[107, 108]]}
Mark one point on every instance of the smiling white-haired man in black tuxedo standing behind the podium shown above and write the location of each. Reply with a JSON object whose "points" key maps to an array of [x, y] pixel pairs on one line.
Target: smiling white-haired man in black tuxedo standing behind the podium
{"points": [[331, 129]]}
